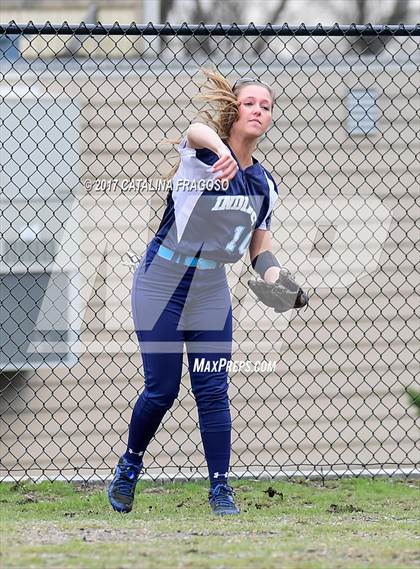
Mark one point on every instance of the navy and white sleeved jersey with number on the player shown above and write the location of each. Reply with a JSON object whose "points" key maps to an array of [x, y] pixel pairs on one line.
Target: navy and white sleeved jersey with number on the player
{"points": [[202, 219]]}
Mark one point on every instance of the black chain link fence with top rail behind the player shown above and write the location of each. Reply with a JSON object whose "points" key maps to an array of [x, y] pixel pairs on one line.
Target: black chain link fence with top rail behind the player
{"points": [[319, 392]]}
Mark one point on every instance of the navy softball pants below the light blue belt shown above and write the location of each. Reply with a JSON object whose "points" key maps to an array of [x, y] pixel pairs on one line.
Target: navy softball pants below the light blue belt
{"points": [[173, 305]]}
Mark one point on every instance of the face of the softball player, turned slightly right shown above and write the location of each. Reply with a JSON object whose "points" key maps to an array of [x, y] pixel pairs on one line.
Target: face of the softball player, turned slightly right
{"points": [[254, 111]]}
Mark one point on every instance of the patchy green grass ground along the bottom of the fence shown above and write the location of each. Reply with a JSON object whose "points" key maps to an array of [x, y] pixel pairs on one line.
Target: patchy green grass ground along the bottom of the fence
{"points": [[349, 524]]}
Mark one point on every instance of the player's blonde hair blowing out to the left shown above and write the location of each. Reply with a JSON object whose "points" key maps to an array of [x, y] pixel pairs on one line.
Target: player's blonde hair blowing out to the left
{"points": [[222, 99]]}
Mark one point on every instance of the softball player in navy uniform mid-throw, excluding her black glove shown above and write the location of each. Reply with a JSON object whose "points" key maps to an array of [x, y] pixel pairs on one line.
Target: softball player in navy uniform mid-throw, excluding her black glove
{"points": [[219, 206]]}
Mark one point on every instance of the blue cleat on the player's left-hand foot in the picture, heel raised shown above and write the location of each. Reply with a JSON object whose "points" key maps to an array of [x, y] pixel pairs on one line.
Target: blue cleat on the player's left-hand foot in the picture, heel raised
{"points": [[122, 488]]}
